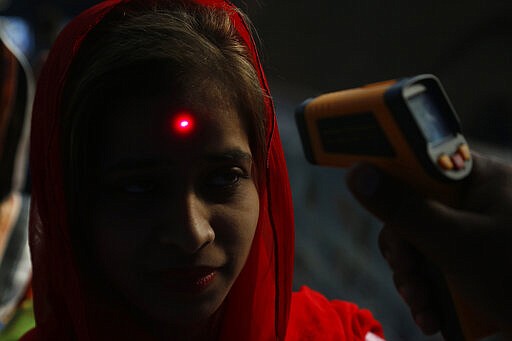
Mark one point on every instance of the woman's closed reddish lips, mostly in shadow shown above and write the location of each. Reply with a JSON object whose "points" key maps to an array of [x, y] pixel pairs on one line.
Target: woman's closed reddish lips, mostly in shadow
{"points": [[187, 280]]}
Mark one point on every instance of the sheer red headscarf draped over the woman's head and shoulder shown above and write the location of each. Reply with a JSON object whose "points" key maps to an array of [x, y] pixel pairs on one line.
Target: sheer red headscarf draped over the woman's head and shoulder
{"points": [[258, 305]]}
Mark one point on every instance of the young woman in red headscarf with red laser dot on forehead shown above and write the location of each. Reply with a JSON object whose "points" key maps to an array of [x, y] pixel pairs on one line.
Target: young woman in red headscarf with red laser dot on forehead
{"points": [[161, 207]]}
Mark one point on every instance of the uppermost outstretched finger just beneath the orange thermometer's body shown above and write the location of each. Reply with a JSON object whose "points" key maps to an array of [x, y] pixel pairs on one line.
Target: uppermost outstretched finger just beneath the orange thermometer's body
{"points": [[443, 234]]}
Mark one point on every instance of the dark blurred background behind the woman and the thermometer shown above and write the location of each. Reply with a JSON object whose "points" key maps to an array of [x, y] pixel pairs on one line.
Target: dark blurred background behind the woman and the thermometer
{"points": [[313, 47]]}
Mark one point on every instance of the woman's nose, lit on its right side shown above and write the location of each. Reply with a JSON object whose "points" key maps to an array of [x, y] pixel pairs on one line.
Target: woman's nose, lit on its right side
{"points": [[189, 227]]}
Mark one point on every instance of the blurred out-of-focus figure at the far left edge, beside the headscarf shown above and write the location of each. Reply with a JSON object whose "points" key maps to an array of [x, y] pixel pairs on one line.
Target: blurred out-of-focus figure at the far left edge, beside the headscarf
{"points": [[16, 93]]}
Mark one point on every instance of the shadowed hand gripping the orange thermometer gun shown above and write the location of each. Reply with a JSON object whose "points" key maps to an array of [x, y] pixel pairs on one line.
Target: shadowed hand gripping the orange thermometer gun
{"points": [[469, 244]]}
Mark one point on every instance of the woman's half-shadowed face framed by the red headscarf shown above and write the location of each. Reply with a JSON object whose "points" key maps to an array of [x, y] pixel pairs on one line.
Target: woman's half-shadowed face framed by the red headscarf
{"points": [[173, 213]]}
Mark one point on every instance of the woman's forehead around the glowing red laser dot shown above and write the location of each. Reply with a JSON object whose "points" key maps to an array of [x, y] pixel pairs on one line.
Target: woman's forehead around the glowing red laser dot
{"points": [[143, 127]]}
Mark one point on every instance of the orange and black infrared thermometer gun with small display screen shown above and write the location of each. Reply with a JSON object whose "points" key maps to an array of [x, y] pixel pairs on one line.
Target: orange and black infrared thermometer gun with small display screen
{"points": [[409, 129]]}
